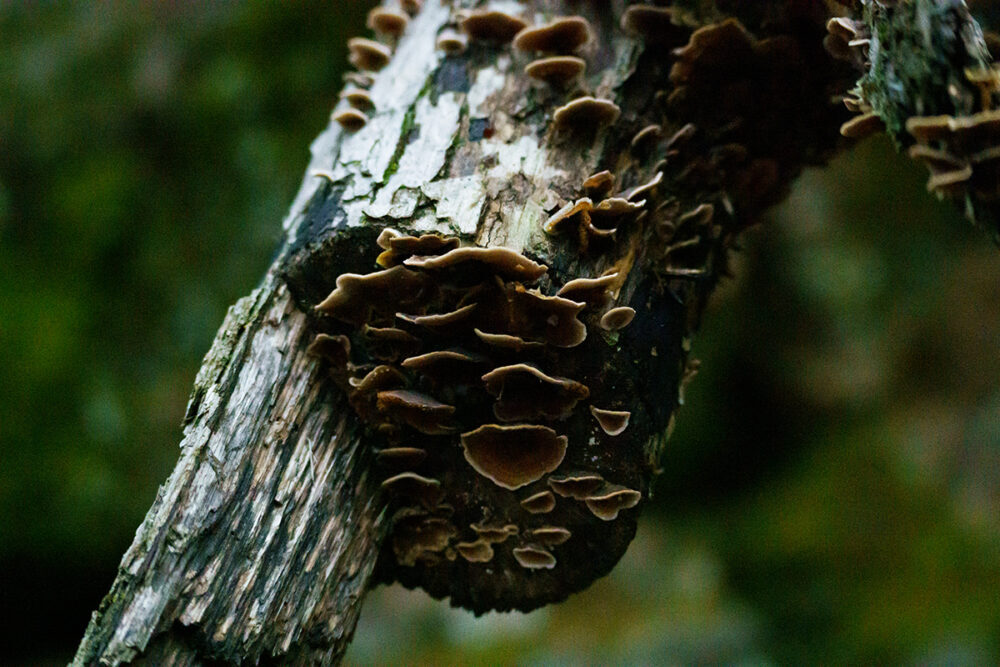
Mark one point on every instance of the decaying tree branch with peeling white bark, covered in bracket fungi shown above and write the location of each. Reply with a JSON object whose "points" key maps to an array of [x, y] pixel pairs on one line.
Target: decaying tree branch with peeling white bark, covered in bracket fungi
{"points": [[304, 477]]}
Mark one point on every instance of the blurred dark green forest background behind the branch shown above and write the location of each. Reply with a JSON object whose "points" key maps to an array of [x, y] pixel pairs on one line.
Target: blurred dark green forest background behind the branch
{"points": [[832, 493]]}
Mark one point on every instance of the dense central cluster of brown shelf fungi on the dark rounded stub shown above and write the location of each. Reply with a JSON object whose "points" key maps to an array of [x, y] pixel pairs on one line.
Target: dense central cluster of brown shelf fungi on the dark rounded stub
{"points": [[452, 361]]}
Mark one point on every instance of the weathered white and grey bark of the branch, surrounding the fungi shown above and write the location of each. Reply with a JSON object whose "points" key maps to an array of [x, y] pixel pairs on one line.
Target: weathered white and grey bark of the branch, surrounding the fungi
{"points": [[264, 539]]}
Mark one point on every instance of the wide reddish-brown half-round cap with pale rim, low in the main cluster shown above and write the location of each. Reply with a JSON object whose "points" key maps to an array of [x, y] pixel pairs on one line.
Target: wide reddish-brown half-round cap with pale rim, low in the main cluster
{"points": [[513, 456]]}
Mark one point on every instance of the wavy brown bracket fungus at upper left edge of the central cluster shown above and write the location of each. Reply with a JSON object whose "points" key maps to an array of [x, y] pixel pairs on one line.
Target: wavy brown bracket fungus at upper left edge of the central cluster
{"points": [[357, 296]]}
